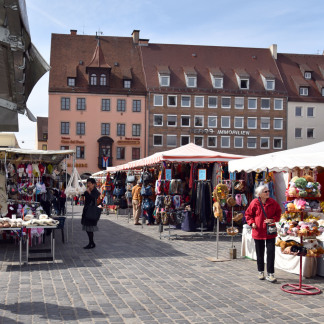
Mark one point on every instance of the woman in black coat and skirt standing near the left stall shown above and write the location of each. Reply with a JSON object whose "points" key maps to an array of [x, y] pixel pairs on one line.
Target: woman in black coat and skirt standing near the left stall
{"points": [[90, 197]]}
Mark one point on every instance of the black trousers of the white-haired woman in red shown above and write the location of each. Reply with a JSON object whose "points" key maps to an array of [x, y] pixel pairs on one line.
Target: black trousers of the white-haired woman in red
{"points": [[259, 248]]}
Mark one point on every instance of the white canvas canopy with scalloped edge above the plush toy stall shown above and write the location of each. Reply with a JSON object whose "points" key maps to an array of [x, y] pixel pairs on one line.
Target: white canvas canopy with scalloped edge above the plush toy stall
{"points": [[311, 156]]}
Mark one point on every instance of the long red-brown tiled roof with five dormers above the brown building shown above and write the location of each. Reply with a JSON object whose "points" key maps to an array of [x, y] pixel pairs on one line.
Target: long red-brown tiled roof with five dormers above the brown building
{"points": [[203, 59]]}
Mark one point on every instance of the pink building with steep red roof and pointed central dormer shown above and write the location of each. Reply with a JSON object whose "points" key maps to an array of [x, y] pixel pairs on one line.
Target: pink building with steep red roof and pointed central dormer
{"points": [[97, 100]]}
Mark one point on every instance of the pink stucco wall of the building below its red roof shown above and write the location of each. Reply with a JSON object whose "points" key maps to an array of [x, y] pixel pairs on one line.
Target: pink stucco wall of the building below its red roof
{"points": [[93, 116]]}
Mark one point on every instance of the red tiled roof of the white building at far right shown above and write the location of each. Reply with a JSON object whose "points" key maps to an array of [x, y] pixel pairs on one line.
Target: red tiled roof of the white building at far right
{"points": [[290, 68]]}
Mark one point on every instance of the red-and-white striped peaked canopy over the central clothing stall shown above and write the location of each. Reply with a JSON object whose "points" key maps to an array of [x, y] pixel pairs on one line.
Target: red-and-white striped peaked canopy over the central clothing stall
{"points": [[186, 153]]}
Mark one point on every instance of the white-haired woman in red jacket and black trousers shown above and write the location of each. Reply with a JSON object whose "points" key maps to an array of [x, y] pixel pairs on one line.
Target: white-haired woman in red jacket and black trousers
{"points": [[256, 218]]}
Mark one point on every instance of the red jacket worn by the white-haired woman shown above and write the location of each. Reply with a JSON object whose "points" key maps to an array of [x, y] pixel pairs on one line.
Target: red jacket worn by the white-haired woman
{"points": [[254, 214]]}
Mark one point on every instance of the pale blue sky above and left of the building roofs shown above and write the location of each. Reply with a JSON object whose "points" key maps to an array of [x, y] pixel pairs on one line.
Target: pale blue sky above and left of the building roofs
{"points": [[295, 26]]}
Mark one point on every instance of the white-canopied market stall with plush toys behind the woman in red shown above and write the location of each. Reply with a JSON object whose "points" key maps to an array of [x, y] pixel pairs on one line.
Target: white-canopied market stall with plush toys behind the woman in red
{"points": [[302, 221]]}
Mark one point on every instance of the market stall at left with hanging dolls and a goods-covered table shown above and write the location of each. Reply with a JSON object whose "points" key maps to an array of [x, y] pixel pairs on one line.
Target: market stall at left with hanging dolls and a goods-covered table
{"points": [[30, 186]]}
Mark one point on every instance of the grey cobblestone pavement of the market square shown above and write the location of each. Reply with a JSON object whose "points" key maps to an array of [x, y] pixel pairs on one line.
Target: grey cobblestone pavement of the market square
{"points": [[134, 277]]}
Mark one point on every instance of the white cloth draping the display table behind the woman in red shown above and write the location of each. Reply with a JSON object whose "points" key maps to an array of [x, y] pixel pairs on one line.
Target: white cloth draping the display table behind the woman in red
{"points": [[286, 262]]}
